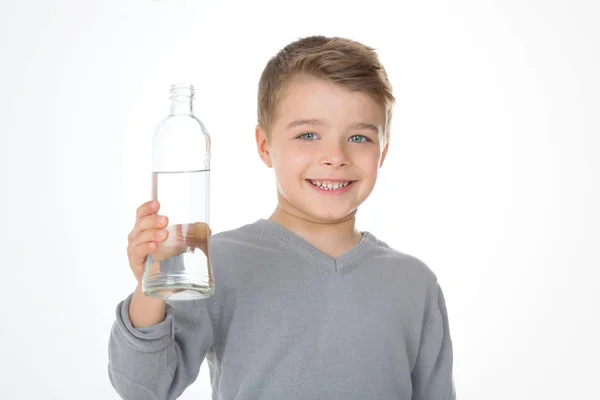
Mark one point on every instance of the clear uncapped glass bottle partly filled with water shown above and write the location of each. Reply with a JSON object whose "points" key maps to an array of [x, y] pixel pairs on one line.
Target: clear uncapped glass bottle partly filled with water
{"points": [[180, 268]]}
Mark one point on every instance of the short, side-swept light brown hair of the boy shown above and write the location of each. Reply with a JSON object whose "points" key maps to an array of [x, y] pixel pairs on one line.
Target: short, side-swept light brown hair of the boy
{"points": [[341, 61]]}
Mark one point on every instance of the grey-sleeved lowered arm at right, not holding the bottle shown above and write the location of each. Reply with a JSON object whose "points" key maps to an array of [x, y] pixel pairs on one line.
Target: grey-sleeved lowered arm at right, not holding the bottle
{"points": [[432, 376]]}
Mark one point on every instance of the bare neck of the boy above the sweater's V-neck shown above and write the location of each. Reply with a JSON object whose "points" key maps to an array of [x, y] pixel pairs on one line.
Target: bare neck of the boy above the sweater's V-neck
{"points": [[333, 238]]}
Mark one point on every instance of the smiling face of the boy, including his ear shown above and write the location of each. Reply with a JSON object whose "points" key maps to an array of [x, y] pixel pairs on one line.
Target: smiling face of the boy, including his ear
{"points": [[324, 135]]}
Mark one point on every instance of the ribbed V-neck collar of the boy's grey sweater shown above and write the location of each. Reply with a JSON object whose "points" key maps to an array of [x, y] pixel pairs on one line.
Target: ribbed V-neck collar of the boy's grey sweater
{"points": [[310, 253]]}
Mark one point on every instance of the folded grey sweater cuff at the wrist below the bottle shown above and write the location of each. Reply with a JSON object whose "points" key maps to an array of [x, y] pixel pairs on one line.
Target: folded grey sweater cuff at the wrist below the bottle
{"points": [[149, 339]]}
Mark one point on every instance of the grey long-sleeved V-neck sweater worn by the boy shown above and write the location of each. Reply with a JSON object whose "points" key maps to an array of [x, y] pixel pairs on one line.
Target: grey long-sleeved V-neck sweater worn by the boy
{"points": [[289, 322]]}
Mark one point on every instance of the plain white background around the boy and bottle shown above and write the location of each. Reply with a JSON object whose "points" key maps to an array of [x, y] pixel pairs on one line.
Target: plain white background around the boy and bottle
{"points": [[492, 177]]}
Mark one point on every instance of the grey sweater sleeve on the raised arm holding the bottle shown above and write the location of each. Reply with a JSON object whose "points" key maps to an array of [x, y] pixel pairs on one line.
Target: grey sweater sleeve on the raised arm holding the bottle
{"points": [[161, 361]]}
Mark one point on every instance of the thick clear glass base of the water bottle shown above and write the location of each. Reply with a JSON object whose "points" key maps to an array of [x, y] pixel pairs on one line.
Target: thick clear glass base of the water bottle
{"points": [[176, 288]]}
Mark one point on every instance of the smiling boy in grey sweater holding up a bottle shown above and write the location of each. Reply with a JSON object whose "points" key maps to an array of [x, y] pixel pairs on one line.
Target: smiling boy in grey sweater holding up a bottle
{"points": [[305, 305]]}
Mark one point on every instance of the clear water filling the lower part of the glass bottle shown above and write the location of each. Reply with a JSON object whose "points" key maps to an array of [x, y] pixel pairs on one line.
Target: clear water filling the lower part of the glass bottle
{"points": [[180, 268]]}
